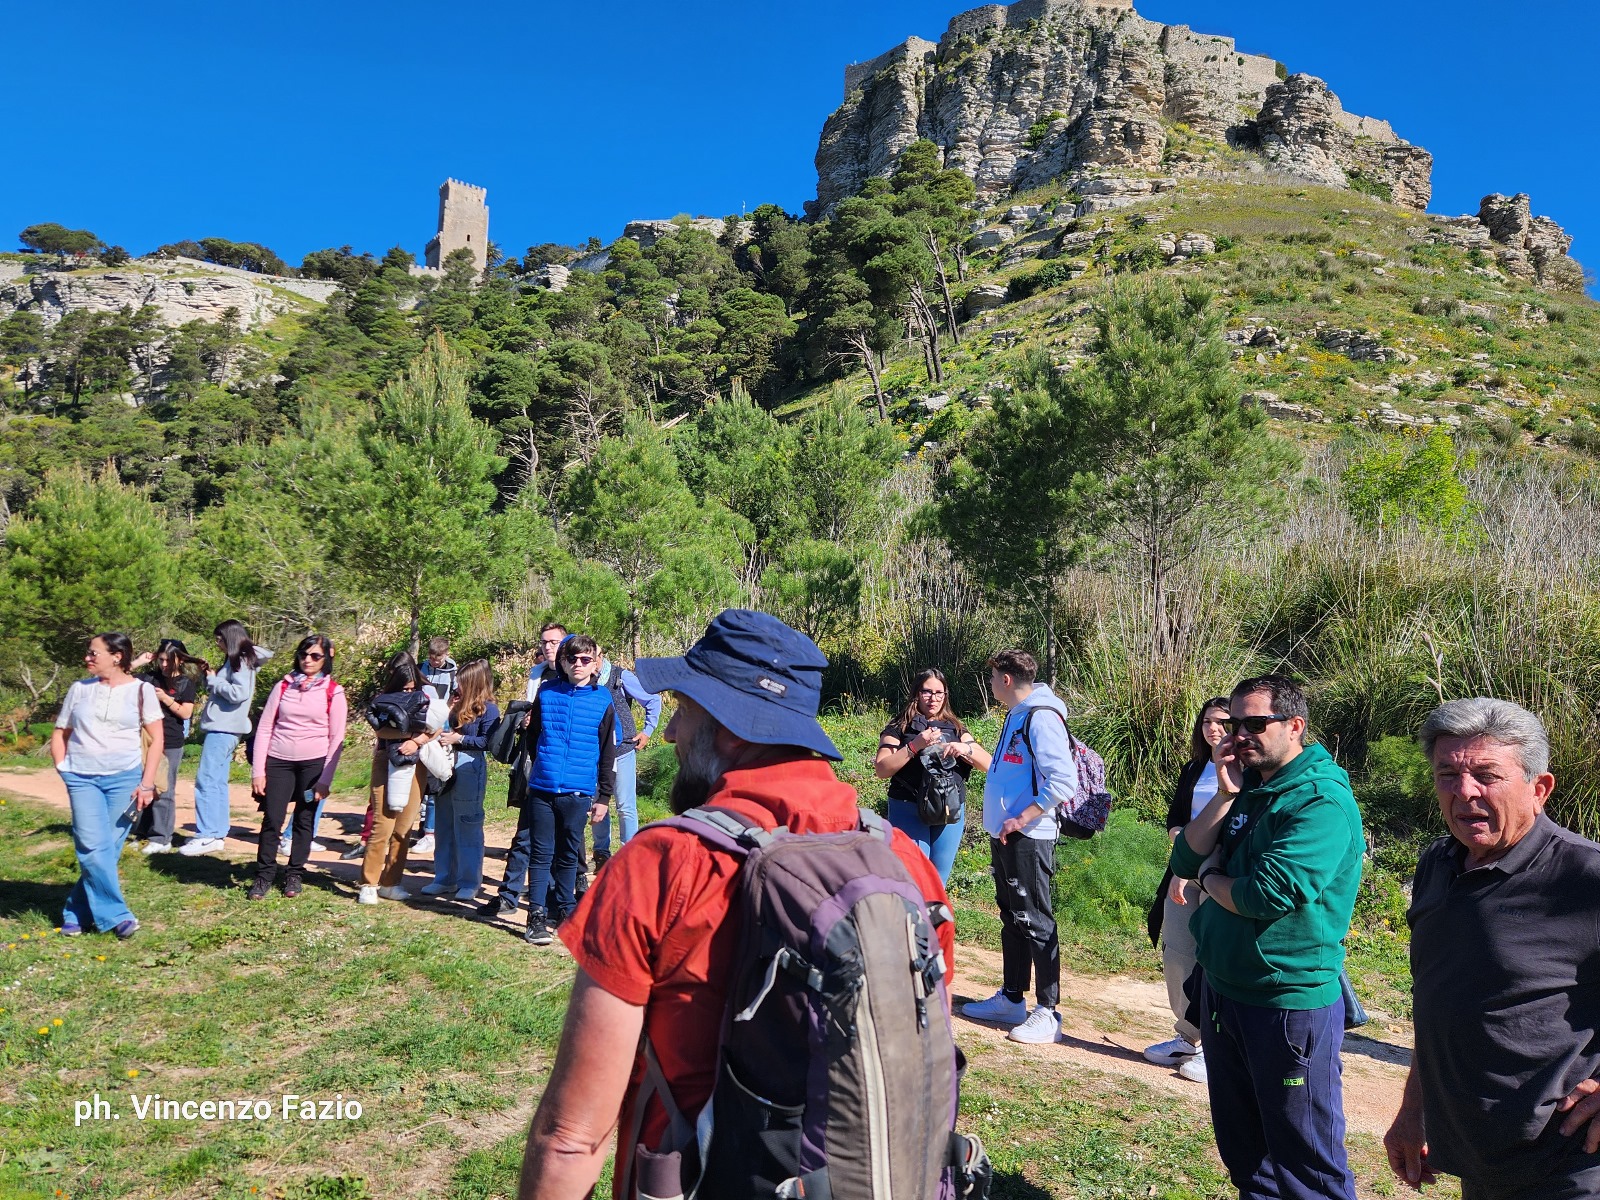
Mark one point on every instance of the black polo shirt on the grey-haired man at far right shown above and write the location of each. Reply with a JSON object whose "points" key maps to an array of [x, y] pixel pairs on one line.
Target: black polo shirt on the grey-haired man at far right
{"points": [[1506, 988]]}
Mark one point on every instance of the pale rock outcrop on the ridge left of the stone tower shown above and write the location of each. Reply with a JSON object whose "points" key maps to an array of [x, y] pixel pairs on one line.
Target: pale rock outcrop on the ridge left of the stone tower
{"points": [[180, 294]]}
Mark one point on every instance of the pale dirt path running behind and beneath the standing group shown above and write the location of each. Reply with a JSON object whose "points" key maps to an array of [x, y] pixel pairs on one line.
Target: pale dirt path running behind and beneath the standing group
{"points": [[1106, 1022]]}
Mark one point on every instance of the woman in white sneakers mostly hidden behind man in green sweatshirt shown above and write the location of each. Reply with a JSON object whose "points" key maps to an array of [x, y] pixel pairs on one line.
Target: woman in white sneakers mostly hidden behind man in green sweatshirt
{"points": [[1177, 900]]}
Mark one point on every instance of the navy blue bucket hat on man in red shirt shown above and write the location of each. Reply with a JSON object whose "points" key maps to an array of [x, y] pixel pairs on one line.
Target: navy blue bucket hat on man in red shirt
{"points": [[761, 679]]}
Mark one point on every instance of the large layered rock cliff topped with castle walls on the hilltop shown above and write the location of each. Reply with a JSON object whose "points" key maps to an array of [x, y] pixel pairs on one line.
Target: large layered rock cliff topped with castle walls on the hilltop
{"points": [[1022, 95]]}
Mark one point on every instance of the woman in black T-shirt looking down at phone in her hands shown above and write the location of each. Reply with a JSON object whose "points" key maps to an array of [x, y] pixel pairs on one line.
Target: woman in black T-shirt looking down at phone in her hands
{"points": [[929, 721]]}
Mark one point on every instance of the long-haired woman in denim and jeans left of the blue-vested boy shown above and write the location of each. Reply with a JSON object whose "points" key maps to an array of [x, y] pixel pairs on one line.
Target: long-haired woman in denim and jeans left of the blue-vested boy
{"points": [[458, 850]]}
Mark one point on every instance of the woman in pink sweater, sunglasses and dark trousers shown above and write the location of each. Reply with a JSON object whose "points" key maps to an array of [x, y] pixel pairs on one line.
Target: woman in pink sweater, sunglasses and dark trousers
{"points": [[297, 753]]}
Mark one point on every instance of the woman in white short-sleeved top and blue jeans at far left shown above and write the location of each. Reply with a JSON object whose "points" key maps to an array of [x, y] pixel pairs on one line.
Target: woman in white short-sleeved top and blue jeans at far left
{"points": [[110, 778]]}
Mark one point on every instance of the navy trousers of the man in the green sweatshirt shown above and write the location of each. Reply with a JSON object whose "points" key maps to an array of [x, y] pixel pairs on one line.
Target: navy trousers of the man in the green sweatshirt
{"points": [[1278, 1103]]}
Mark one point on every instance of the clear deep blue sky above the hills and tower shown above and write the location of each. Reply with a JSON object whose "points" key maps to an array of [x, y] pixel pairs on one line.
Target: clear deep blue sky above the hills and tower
{"points": [[305, 126]]}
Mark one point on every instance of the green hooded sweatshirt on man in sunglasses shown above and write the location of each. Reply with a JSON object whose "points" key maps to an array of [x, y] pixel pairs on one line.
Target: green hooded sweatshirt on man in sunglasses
{"points": [[1294, 847]]}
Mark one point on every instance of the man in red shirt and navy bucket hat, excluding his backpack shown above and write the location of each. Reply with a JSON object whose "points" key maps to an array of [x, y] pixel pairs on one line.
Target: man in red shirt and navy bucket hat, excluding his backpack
{"points": [[652, 940]]}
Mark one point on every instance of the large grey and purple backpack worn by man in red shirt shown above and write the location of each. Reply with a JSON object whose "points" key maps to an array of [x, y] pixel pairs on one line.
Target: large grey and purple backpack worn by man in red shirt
{"points": [[838, 1074]]}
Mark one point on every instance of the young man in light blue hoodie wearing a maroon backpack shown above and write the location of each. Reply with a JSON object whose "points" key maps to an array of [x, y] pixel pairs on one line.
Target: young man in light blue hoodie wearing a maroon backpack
{"points": [[1033, 775]]}
